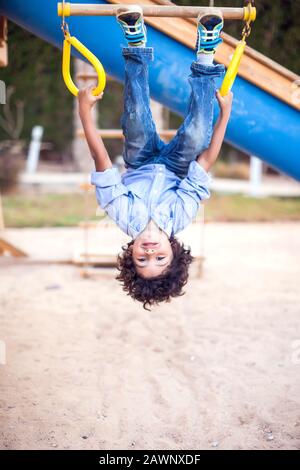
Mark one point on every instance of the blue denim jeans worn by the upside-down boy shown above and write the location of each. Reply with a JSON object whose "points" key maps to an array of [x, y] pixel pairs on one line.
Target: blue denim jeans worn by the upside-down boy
{"points": [[142, 143]]}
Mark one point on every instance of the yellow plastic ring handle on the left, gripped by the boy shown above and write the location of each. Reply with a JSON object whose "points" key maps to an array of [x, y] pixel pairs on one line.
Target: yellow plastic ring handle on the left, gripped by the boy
{"points": [[70, 41]]}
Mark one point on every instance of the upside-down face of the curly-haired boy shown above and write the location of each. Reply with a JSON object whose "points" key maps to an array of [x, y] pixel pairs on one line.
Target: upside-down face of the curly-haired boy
{"points": [[152, 253]]}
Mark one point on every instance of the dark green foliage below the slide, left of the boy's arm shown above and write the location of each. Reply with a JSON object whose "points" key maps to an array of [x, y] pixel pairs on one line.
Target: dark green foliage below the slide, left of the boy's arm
{"points": [[34, 71]]}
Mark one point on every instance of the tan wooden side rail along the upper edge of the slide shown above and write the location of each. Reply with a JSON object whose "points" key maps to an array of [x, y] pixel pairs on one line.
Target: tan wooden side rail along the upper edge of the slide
{"points": [[255, 67]]}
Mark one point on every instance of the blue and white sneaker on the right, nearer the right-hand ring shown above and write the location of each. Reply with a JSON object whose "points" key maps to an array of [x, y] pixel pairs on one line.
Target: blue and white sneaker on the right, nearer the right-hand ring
{"points": [[208, 32]]}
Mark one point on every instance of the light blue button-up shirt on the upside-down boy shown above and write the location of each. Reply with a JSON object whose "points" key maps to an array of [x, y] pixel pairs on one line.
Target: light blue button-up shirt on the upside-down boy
{"points": [[151, 192]]}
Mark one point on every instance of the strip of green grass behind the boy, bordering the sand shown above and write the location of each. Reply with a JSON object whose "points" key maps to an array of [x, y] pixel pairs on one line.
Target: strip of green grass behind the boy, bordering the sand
{"points": [[66, 210]]}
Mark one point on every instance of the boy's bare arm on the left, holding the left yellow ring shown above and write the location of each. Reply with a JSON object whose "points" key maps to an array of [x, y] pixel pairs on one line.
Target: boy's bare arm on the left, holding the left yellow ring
{"points": [[98, 151]]}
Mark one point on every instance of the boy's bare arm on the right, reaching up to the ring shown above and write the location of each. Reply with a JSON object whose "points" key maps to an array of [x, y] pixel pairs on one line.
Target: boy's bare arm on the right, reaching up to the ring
{"points": [[210, 155]]}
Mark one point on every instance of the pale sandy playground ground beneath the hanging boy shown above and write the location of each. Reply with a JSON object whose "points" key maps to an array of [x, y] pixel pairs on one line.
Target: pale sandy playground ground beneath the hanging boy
{"points": [[88, 368]]}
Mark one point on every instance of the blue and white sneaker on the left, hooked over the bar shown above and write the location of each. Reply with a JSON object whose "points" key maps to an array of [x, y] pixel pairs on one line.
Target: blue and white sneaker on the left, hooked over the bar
{"points": [[132, 24]]}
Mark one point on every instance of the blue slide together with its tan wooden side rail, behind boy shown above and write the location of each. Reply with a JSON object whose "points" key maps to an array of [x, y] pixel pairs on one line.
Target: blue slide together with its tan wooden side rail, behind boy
{"points": [[265, 117]]}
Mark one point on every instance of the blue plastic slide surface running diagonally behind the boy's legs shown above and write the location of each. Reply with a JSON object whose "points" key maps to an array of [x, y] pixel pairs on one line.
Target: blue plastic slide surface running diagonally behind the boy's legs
{"points": [[260, 124]]}
